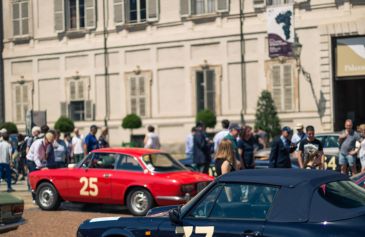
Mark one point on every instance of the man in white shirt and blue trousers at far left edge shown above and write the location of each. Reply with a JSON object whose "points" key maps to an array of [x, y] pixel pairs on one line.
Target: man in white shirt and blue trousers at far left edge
{"points": [[5, 154]]}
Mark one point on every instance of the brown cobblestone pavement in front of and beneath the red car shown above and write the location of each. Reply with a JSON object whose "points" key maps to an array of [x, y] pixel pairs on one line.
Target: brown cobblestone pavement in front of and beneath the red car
{"points": [[63, 222]]}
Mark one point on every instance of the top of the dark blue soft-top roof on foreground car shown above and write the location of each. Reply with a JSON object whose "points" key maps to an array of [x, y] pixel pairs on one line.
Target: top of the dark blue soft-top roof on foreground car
{"points": [[283, 177]]}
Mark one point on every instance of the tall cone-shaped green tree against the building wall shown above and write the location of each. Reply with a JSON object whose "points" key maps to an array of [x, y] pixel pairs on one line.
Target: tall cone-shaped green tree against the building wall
{"points": [[266, 116]]}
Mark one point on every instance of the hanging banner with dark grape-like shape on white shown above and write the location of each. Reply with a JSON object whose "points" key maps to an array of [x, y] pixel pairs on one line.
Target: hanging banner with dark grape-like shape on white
{"points": [[280, 30]]}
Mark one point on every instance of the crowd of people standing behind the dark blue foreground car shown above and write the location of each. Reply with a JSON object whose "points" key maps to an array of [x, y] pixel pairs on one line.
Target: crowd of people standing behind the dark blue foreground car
{"points": [[233, 148]]}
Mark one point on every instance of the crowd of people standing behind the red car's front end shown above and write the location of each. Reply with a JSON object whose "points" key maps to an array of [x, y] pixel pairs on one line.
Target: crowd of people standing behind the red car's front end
{"points": [[46, 149]]}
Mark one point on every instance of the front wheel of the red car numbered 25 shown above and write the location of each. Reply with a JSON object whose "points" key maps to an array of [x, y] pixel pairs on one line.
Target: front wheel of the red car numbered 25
{"points": [[47, 197]]}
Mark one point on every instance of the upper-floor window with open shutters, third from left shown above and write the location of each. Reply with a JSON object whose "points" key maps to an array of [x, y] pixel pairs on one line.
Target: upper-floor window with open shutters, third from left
{"points": [[135, 11]]}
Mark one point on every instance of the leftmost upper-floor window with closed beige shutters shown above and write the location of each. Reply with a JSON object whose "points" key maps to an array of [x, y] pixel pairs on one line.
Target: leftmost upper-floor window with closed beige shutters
{"points": [[20, 18]]}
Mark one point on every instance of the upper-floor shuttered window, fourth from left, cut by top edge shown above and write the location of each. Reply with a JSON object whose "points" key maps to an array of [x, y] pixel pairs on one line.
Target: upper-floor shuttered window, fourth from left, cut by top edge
{"points": [[202, 7]]}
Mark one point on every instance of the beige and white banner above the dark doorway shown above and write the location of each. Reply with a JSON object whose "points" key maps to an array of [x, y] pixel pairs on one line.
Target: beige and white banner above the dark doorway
{"points": [[350, 57]]}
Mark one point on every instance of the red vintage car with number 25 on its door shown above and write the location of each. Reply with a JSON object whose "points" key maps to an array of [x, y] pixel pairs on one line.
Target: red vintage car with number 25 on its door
{"points": [[137, 178]]}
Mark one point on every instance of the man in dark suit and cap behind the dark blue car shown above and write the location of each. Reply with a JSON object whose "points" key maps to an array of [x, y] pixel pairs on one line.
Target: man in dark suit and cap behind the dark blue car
{"points": [[281, 149]]}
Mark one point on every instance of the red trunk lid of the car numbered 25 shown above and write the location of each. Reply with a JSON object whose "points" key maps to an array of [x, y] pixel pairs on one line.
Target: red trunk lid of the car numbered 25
{"points": [[186, 176]]}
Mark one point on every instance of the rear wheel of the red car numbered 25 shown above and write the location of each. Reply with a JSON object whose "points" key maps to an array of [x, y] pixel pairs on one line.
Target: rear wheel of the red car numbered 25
{"points": [[139, 201]]}
